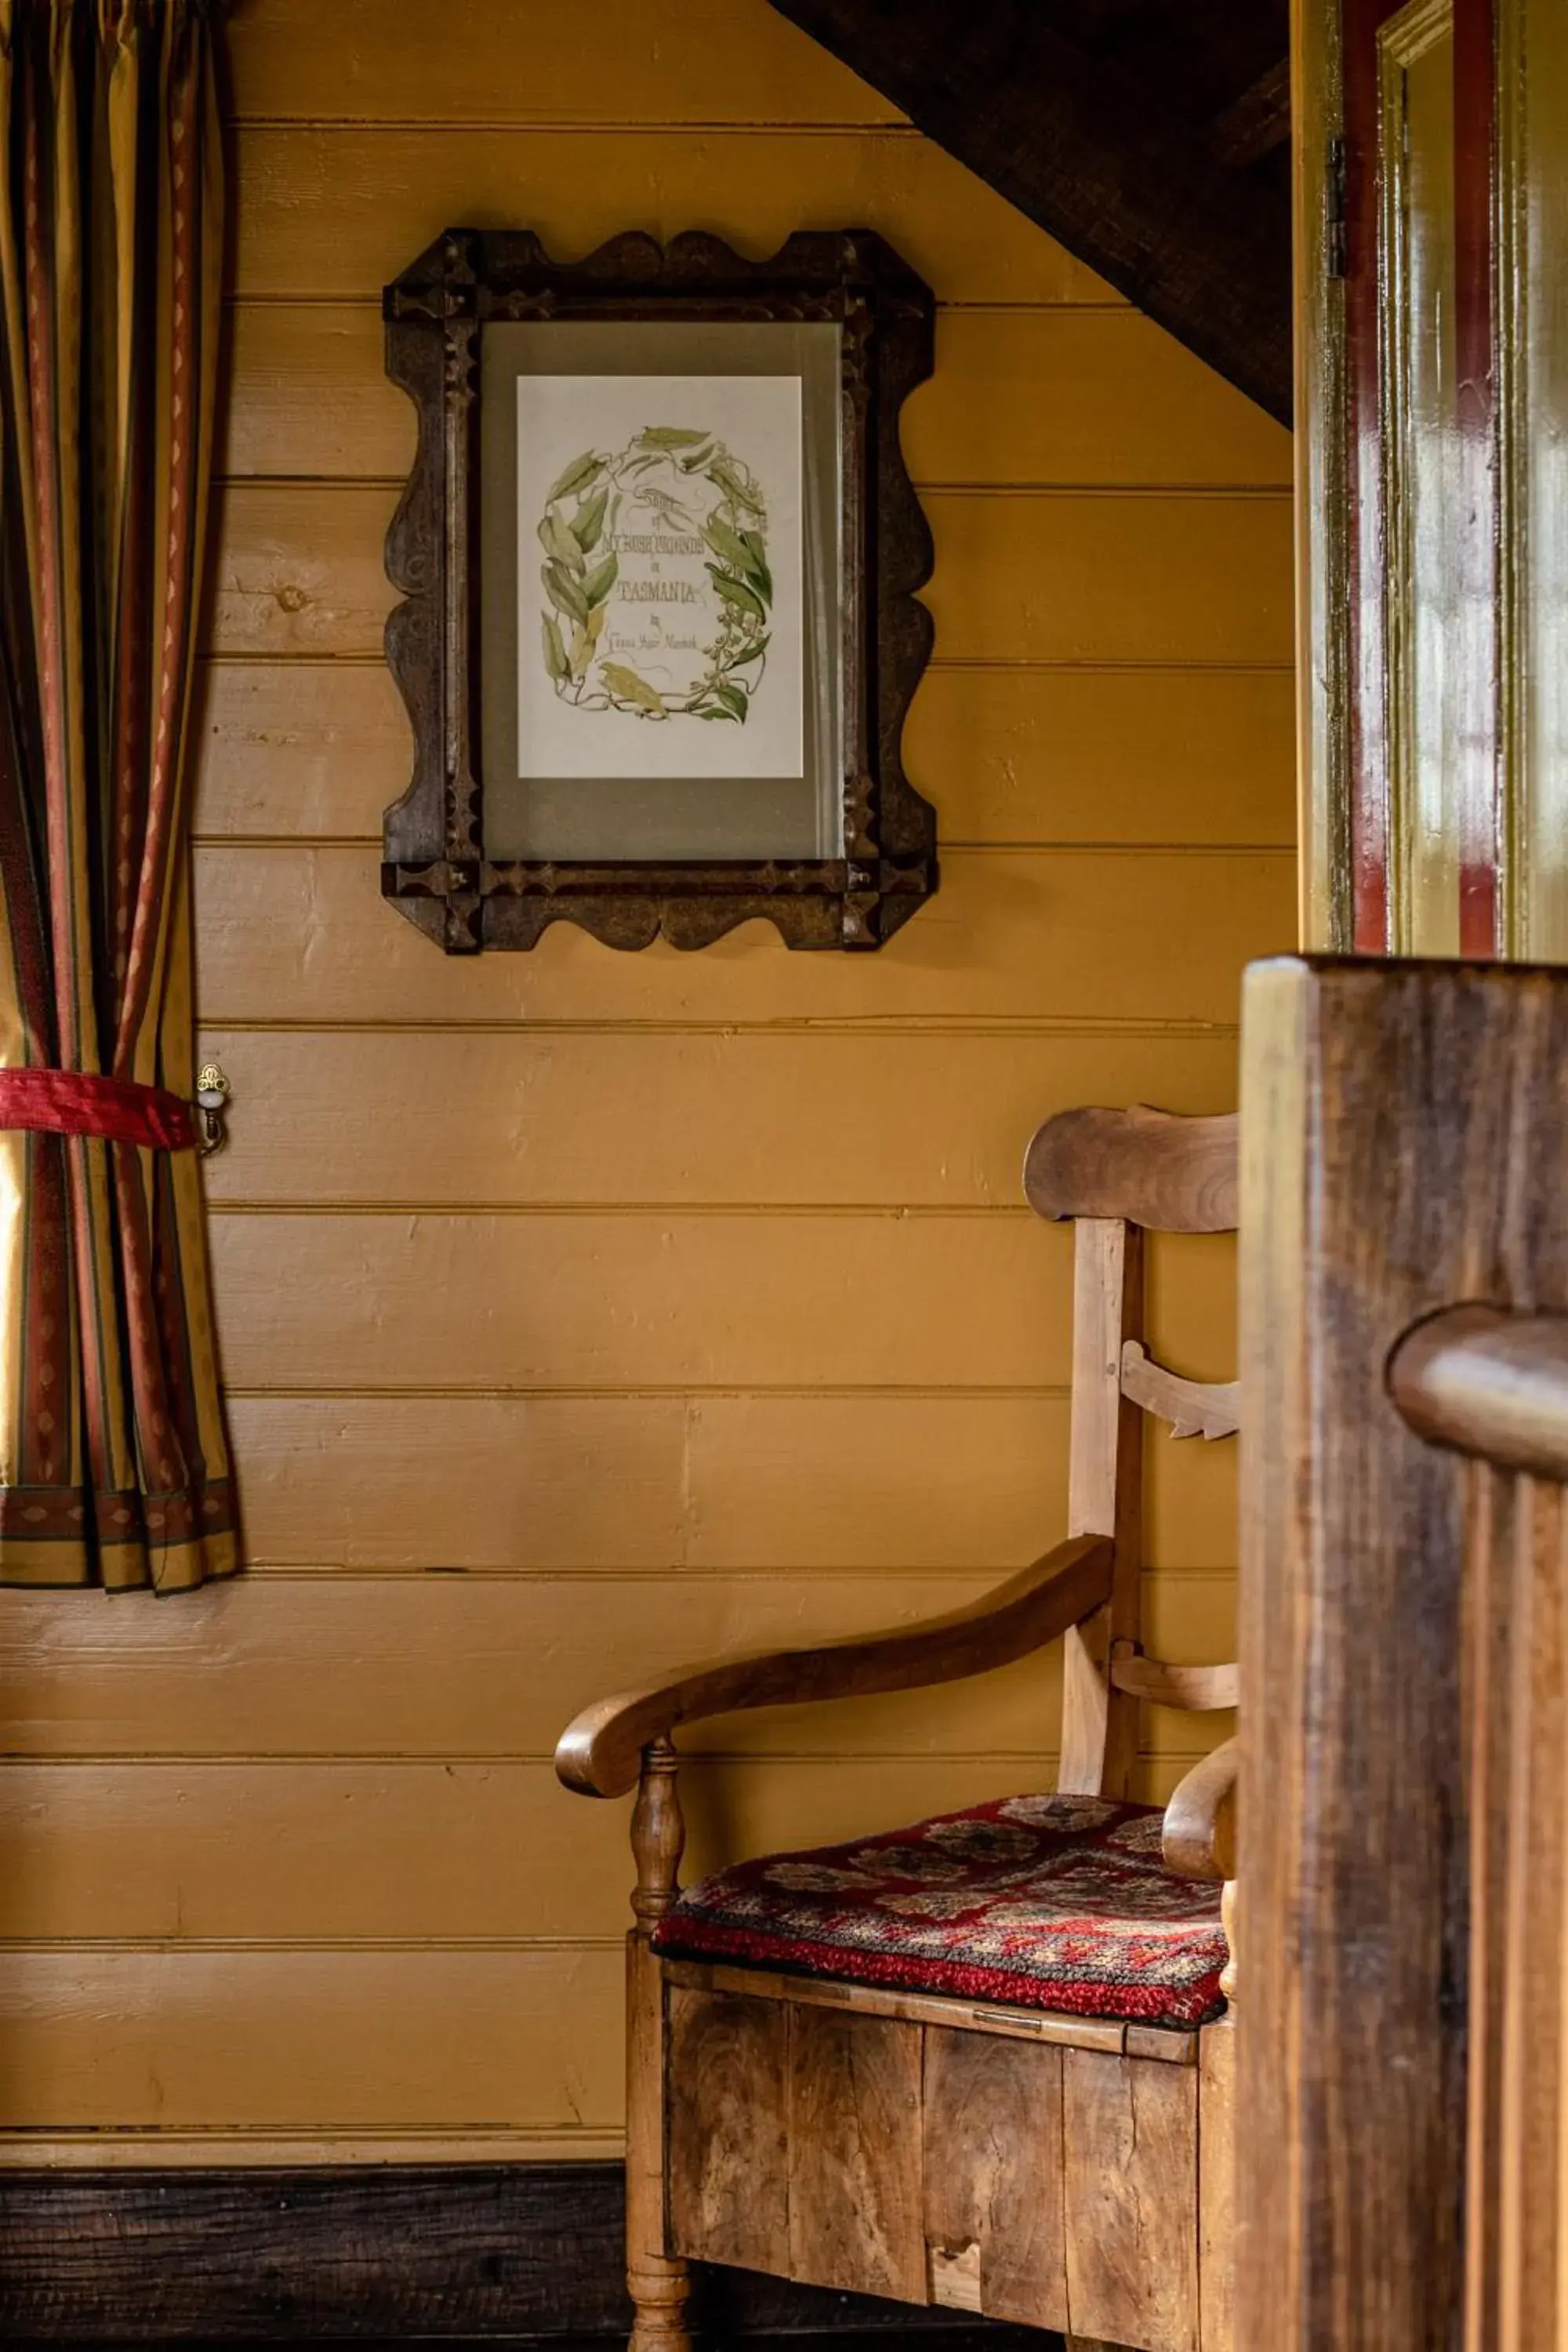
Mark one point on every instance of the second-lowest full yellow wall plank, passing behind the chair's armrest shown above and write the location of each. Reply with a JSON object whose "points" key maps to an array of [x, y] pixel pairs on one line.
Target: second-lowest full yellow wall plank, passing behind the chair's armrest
{"points": [[340, 1852]]}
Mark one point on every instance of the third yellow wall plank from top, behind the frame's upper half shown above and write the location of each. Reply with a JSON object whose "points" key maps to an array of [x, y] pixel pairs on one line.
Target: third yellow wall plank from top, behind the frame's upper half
{"points": [[1019, 399]]}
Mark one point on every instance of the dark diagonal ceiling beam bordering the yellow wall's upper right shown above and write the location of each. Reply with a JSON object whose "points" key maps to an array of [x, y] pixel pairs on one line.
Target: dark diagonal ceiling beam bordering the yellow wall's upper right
{"points": [[1097, 161]]}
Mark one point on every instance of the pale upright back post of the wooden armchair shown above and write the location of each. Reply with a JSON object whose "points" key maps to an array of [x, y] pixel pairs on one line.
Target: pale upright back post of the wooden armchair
{"points": [[1104, 1499]]}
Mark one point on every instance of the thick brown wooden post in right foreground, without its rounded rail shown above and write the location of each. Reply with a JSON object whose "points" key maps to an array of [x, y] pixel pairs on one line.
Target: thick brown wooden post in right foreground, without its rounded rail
{"points": [[1402, 1671]]}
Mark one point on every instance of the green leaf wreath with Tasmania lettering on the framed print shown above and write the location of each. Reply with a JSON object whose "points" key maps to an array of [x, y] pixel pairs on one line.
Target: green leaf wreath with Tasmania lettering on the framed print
{"points": [[674, 497]]}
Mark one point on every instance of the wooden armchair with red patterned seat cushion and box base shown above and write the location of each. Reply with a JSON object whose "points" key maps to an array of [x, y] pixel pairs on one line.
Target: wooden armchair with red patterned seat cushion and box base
{"points": [[984, 2062]]}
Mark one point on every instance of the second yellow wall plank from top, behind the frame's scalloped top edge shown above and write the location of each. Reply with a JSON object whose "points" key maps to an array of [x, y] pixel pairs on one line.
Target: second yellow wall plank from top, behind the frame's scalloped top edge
{"points": [[344, 211]]}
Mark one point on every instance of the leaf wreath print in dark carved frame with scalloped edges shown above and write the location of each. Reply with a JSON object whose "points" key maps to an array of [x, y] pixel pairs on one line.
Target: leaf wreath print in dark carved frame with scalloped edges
{"points": [[659, 561]]}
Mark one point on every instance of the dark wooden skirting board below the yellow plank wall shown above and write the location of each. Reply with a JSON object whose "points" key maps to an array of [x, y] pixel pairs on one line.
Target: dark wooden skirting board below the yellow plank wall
{"points": [[467, 2254]]}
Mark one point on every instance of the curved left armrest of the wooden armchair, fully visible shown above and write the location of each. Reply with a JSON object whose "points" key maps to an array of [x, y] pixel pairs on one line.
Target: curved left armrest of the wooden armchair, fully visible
{"points": [[601, 1753]]}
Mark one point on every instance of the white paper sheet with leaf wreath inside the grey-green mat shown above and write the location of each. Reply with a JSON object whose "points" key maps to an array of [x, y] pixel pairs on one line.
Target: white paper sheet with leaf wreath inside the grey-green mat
{"points": [[659, 577]]}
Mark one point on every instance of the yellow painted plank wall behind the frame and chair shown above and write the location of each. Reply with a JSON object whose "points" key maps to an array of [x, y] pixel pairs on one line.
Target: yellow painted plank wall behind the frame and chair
{"points": [[587, 1311]]}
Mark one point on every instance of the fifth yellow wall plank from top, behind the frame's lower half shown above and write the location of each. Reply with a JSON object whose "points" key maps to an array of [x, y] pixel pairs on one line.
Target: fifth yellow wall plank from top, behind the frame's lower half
{"points": [[1010, 756]]}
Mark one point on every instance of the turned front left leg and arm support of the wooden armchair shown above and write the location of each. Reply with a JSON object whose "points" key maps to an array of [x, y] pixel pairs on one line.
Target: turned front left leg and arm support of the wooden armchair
{"points": [[657, 2283]]}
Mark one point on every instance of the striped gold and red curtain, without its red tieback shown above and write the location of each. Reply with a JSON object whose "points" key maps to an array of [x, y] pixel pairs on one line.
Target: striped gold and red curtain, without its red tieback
{"points": [[114, 1457]]}
